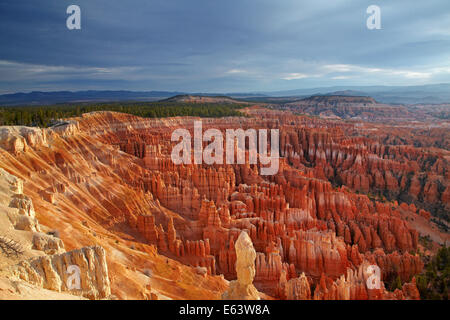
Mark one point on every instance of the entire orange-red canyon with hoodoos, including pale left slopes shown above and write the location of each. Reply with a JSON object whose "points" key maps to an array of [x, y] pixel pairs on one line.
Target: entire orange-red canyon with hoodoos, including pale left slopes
{"points": [[357, 186]]}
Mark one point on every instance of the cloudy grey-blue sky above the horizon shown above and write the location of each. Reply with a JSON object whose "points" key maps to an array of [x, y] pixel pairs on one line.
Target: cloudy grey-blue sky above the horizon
{"points": [[221, 46]]}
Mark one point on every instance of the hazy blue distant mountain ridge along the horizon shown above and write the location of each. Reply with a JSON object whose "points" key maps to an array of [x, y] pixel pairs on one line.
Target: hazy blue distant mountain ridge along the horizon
{"points": [[425, 94]]}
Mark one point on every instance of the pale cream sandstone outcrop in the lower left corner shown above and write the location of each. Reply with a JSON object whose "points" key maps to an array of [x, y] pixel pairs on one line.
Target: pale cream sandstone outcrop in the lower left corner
{"points": [[48, 269]]}
